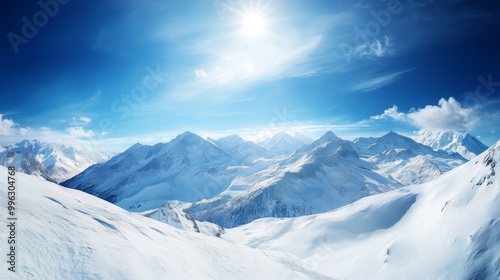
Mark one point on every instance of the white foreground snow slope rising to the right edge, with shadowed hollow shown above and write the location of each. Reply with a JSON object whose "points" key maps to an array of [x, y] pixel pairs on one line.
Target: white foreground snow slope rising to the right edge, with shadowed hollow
{"points": [[448, 228]]}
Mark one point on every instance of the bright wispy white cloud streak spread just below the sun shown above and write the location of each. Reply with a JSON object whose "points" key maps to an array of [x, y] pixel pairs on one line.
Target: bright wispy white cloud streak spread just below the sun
{"points": [[235, 65]]}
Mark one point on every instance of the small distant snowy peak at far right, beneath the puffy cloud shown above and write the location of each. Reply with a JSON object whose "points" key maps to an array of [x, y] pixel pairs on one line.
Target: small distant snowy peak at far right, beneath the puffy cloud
{"points": [[453, 142]]}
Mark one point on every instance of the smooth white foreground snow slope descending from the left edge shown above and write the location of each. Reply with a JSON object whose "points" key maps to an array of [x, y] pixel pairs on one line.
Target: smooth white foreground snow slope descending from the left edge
{"points": [[67, 234]]}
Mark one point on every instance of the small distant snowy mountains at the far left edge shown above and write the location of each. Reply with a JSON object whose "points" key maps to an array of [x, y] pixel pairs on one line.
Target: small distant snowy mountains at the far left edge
{"points": [[51, 161]]}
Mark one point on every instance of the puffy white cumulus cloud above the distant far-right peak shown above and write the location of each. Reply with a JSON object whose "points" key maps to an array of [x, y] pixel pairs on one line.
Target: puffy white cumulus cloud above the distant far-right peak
{"points": [[447, 115]]}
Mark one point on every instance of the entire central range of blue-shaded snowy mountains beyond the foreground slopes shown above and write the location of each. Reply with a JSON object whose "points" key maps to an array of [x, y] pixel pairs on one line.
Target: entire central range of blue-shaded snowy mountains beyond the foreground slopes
{"points": [[231, 181]]}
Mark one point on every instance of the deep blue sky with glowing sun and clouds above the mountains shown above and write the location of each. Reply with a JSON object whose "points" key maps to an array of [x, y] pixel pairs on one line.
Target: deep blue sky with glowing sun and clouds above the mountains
{"points": [[112, 73]]}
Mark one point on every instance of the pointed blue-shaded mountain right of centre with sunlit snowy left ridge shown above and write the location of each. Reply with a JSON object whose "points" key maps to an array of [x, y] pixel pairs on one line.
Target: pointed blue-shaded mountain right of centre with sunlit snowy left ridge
{"points": [[319, 177]]}
